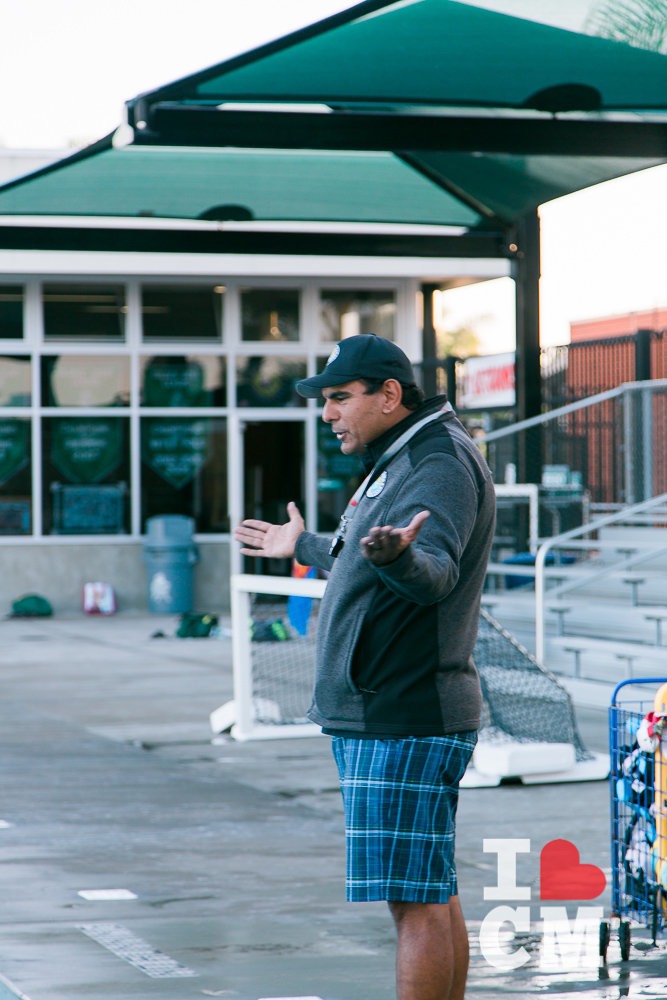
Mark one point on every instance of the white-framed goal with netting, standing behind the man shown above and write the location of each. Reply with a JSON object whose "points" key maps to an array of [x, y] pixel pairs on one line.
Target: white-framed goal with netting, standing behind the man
{"points": [[274, 624]]}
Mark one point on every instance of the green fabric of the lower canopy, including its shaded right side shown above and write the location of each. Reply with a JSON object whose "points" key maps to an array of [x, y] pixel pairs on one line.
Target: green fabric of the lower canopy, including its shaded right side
{"points": [[180, 182]]}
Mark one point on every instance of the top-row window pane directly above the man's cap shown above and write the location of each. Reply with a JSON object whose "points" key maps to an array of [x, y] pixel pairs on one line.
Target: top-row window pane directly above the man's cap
{"points": [[345, 313]]}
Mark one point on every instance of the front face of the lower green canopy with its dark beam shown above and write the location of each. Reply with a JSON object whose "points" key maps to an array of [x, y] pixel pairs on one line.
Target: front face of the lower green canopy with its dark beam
{"points": [[241, 201]]}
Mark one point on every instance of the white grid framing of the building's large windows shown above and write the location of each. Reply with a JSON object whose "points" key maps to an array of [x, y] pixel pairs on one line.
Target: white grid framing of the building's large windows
{"points": [[230, 346]]}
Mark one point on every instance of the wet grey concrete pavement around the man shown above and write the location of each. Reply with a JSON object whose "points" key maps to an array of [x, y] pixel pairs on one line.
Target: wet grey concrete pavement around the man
{"points": [[139, 859]]}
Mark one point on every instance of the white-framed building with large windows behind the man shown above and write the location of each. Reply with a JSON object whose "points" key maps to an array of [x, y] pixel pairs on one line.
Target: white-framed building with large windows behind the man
{"points": [[134, 385]]}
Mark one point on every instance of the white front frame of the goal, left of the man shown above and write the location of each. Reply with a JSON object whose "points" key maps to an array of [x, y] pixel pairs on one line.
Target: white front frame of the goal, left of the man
{"points": [[241, 713]]}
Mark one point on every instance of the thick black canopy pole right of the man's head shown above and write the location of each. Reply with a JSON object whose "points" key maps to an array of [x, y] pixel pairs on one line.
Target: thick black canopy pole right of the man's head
{"points": [[528, 373]]}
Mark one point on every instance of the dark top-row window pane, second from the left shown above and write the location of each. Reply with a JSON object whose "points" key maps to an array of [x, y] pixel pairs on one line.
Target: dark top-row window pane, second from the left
{"points": [[84, 312]]}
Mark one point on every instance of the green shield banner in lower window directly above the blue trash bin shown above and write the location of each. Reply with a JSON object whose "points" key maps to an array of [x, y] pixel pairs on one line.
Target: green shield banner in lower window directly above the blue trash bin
{"points": [[175, 449]]}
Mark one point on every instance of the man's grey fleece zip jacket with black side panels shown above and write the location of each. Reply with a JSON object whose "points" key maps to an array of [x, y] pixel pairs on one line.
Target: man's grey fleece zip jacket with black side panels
{"points": [[394, 643]]}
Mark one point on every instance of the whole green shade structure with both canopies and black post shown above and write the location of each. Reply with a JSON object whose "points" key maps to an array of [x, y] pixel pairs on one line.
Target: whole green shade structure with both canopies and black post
{"points": [[432, 113]]}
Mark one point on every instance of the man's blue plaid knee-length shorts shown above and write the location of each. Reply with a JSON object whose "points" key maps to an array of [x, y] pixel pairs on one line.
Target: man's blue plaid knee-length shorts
{"points": [[400, 799]]}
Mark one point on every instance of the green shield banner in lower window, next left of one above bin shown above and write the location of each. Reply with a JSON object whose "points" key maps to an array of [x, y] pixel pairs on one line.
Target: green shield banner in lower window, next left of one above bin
{"points": [[86, 451]]}
